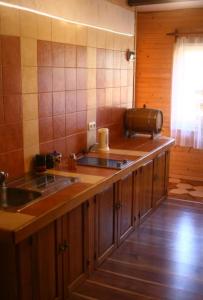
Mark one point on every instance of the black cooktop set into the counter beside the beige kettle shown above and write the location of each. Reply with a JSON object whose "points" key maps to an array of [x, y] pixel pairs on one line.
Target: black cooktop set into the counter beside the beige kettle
{"points": [[103, 162]]}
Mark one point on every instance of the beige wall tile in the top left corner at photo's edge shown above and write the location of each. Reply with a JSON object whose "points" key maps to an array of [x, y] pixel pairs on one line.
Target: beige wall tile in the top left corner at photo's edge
{"points": [[10, 21]]}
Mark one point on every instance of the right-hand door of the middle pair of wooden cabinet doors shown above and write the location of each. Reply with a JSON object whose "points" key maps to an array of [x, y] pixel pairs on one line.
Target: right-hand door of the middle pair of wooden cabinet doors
{"points": [[124, 203]]}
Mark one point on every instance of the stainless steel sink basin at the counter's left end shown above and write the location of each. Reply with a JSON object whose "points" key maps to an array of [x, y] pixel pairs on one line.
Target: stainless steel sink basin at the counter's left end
{"points": [[14, 197]]}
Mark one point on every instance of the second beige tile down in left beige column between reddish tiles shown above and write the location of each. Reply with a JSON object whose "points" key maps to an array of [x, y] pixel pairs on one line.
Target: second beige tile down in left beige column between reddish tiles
{"points": [[29, 80]]}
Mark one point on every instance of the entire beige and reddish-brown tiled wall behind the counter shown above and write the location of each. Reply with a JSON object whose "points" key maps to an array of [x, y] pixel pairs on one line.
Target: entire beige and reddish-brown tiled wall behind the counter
{"points": [[55, 78]]}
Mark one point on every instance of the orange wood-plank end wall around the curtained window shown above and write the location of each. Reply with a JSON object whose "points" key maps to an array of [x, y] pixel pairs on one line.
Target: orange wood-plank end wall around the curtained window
{"points": [[153, 75]]}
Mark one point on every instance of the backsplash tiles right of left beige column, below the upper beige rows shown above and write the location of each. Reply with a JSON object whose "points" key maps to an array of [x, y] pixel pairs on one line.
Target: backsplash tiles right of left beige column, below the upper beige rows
{"points": [[73, 79]]}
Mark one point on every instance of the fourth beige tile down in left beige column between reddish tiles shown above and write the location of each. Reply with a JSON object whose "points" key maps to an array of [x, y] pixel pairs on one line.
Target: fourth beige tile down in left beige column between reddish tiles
{"points": [[30, 133]]}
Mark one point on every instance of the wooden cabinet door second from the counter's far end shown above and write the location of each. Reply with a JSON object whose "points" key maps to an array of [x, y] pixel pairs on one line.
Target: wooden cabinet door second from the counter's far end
{"points": [[146, 189]]}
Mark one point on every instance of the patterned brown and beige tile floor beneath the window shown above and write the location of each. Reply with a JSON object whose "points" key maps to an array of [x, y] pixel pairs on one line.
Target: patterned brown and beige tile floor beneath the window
{"points": [[186, 189]]}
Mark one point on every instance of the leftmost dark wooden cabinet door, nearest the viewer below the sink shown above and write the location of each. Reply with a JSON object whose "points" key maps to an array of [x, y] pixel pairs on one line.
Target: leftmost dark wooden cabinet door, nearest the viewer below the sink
{"points": [[40, 264]]}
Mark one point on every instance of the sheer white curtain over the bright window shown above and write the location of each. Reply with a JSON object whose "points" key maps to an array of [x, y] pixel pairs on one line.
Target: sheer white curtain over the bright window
{"points": [[187, 92]]}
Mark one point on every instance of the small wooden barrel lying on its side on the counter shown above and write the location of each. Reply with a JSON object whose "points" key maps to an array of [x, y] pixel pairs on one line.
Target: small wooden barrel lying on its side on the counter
{"points": [[144, 120]]}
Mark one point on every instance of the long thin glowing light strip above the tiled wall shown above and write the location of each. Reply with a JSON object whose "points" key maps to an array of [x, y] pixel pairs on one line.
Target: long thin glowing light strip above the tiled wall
{"points": [[62, 19]]}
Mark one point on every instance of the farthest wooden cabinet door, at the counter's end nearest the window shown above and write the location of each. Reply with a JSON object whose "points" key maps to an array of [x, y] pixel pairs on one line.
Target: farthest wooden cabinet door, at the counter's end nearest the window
{"points": [[159, 178]]}
